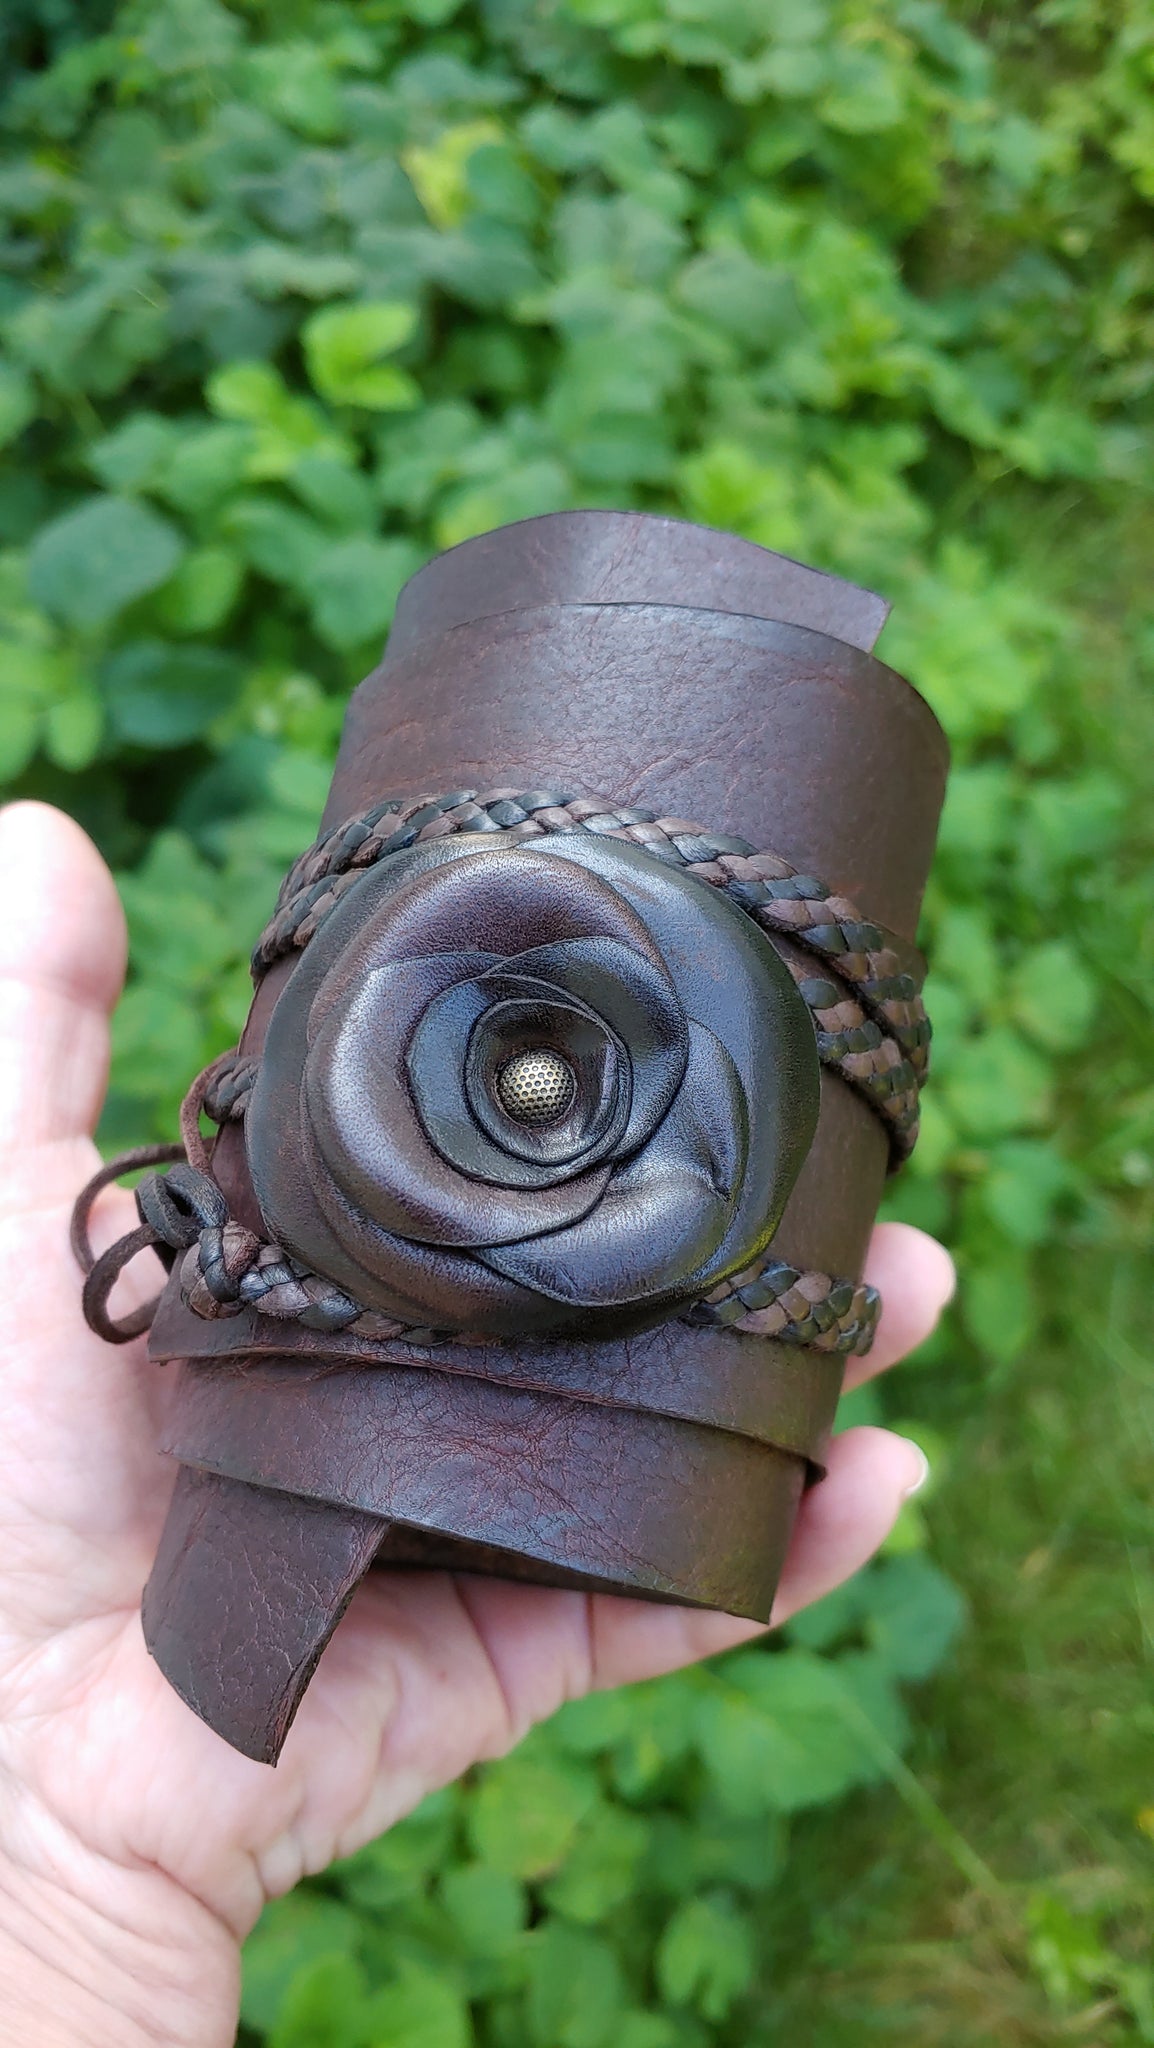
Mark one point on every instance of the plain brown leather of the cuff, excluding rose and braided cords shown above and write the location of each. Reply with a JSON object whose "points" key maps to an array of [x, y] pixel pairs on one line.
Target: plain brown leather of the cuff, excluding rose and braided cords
{"points": [[657, 665]]}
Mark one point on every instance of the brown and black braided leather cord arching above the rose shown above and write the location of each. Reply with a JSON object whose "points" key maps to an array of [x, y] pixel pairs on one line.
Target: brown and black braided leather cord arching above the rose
{"points": [[868, 1011]]}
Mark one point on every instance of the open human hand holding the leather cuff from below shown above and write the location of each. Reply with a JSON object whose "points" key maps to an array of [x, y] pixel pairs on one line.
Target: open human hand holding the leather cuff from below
{"points": [[136, 1848]]}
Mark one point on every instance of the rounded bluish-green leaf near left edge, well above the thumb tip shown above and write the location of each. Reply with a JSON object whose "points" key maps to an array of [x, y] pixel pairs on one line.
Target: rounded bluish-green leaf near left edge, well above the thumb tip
{"points": [[97, 558]]}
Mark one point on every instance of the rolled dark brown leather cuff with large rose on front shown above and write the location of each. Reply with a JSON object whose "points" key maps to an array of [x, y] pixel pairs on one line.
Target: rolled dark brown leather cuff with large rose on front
{"points": [[542, 1097]]}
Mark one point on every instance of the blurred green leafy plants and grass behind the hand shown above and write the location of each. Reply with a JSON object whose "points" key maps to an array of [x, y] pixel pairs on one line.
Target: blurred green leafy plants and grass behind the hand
{"points": [[294, 296]]}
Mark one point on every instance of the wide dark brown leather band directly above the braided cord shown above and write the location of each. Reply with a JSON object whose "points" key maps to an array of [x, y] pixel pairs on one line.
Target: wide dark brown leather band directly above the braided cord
{"points": [[774, 732]]}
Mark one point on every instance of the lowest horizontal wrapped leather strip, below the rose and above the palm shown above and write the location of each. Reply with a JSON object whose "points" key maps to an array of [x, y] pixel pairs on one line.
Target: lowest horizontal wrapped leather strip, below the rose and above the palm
{"points": [[700, 1517]]}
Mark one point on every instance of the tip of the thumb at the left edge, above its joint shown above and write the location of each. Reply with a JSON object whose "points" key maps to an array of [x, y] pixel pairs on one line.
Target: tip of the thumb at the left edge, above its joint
{"points": [[63, 962]]}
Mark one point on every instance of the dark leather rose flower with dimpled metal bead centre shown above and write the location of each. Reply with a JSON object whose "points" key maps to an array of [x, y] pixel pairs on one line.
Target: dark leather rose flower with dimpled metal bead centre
{"points": [[532, 1089]]}
